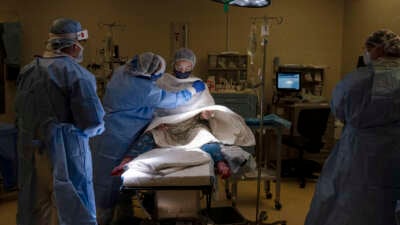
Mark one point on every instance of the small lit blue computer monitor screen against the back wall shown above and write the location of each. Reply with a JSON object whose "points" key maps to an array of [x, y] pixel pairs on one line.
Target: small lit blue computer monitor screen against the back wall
{"points": [[288, 81]]}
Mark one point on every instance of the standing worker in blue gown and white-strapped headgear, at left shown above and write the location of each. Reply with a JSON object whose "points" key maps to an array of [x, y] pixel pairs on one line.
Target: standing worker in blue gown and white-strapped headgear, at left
{"points": [[57, 111]]}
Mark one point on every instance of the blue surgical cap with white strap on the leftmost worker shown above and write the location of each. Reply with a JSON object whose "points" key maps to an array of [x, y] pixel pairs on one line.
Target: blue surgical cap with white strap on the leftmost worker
{"points": [[63, 33]]}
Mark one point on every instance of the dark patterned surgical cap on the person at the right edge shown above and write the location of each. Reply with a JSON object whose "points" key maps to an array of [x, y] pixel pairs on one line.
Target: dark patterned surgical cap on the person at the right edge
{"points": [[386, 38]]}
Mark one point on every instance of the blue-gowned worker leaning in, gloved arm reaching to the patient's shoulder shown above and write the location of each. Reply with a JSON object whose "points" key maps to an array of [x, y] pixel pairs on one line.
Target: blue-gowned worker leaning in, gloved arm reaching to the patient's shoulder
{"points": [[130, 100]]}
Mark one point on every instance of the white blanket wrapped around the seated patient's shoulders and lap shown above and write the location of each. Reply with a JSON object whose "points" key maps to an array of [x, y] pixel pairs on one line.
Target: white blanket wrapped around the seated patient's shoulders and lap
{"points": [[225, 125]]}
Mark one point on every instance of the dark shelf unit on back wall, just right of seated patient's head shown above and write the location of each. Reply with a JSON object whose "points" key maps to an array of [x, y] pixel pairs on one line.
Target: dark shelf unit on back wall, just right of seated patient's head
{"points": [[229, 68]]}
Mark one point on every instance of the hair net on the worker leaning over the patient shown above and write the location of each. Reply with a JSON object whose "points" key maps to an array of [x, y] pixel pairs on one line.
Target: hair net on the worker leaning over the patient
{"points": [[147, 64]]}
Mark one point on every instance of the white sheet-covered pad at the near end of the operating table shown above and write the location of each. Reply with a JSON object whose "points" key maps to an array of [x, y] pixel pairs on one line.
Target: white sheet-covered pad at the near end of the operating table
{"points": [[190, 168]]}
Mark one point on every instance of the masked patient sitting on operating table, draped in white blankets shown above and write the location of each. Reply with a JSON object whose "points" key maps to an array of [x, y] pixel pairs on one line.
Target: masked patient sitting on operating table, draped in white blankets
{"points": [[199, 125]]}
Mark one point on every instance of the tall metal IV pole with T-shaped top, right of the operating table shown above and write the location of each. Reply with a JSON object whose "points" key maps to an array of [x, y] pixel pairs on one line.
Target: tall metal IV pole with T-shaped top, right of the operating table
{"points": [[265, 19]]}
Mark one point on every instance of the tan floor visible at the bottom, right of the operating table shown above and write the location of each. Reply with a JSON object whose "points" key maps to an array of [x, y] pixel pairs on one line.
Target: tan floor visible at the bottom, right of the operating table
{"points": [[295, 203]]}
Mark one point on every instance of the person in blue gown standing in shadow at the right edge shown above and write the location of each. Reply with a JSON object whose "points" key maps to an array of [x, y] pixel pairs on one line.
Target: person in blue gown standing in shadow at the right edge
{"points": [[360, 181]]}
